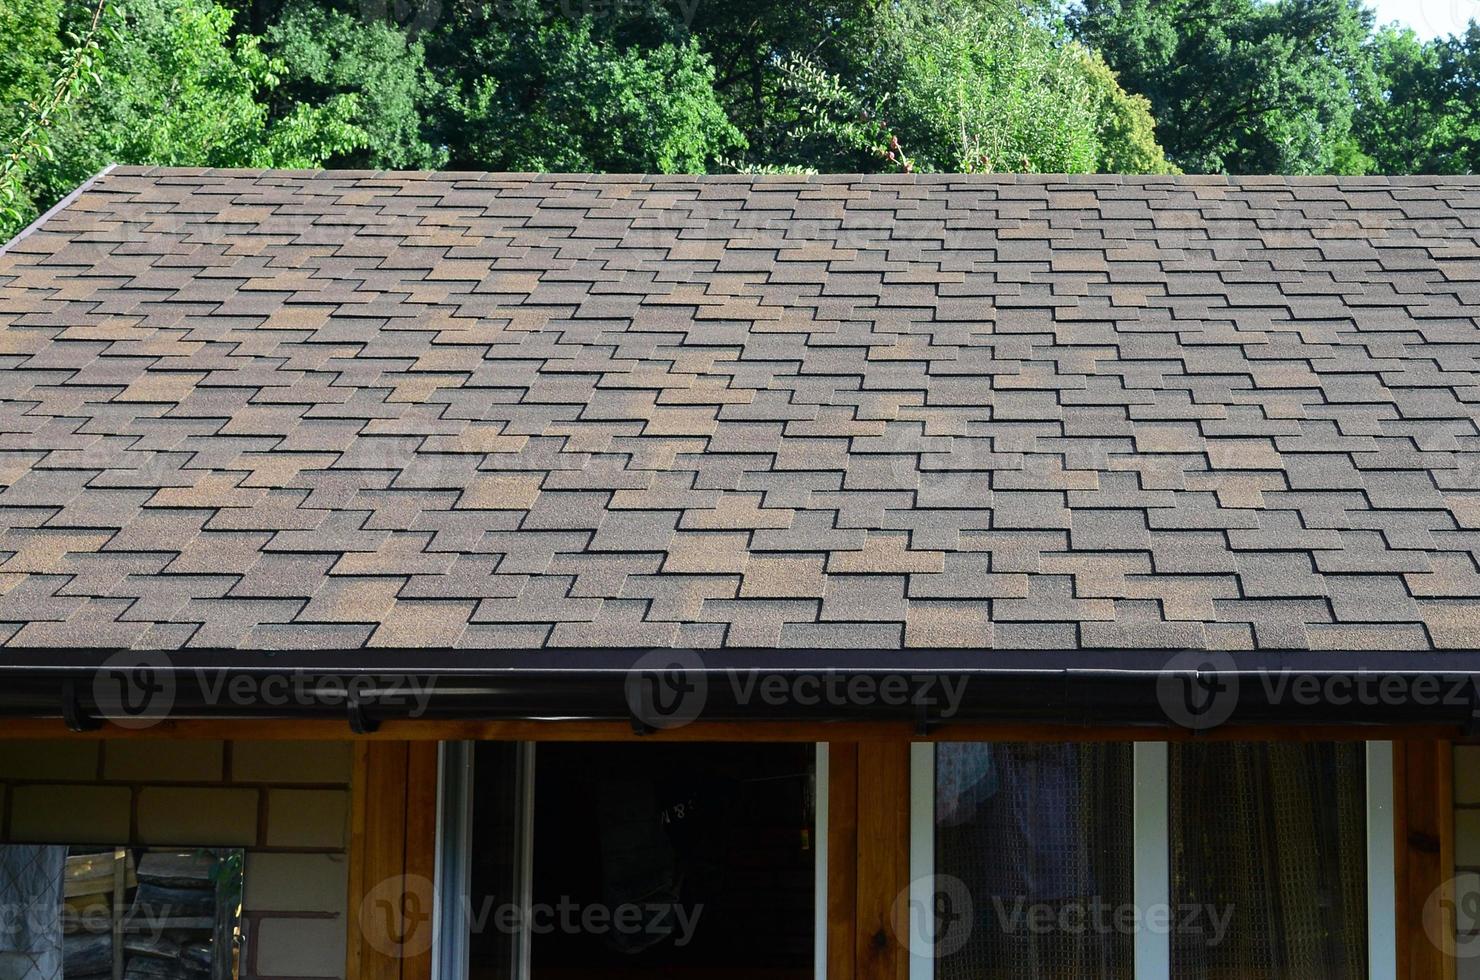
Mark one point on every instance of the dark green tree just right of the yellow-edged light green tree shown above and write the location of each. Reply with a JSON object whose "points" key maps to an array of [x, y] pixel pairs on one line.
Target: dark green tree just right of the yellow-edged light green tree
{"points": [[1242, 87]]}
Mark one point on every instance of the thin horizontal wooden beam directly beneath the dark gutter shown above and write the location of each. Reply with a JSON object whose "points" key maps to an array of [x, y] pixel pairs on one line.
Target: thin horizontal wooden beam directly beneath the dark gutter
{"points": [[317, 731]]}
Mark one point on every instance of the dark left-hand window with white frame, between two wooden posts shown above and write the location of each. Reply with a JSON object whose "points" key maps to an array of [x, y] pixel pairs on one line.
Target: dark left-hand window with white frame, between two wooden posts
{"points": [[633, 861]]}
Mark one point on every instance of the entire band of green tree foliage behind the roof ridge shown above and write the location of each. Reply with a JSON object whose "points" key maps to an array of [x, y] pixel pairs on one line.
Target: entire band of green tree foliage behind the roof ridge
{"points": [[1136, 87]]}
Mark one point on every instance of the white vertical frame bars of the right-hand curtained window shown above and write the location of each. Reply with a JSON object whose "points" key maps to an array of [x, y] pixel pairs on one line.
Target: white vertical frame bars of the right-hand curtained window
{"points": [[1152, 859]]}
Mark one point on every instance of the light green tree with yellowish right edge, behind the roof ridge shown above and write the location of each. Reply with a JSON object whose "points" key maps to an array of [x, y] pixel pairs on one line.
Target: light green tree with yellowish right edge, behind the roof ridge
{"points": [[960, 87]]}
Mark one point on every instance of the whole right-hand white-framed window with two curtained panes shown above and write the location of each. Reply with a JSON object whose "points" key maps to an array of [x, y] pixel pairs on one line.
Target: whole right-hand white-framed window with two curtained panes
{"points": [[1152, 861]]}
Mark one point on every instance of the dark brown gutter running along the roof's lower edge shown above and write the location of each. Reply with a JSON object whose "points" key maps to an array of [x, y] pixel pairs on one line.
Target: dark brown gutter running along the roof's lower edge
{"points": [[668, 688]]}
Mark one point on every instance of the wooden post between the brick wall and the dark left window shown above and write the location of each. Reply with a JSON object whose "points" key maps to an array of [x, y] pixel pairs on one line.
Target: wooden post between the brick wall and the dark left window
{"points": [[393, 852]]}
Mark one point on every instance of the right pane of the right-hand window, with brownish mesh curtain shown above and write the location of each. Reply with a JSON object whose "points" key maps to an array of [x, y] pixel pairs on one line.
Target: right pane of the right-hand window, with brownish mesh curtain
{"points": [[1269, 861]]}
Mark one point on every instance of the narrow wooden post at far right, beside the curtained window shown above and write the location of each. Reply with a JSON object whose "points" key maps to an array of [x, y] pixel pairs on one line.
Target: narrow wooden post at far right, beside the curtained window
{"points": [[1424, 858]]}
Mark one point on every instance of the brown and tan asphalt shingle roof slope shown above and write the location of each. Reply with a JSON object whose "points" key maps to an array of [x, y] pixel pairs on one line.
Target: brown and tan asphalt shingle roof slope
{"points": [[264, 409]]}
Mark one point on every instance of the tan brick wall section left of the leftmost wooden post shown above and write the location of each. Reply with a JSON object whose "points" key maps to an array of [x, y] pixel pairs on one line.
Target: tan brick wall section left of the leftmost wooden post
{"points": [[286, 803]]}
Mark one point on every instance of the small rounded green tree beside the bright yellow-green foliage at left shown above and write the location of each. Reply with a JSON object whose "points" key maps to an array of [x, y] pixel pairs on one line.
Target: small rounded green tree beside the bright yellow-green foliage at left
{"points": [[326, 54]]}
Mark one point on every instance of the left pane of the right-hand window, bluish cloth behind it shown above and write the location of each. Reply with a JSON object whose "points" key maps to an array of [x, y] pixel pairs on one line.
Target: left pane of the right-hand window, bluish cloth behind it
{"points": [[1034, 853]]}
